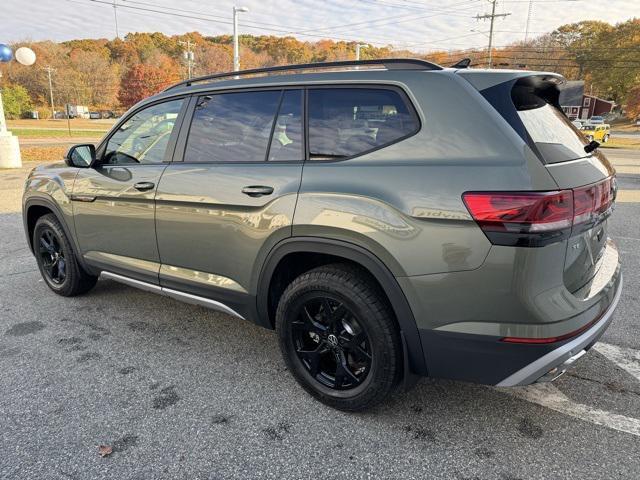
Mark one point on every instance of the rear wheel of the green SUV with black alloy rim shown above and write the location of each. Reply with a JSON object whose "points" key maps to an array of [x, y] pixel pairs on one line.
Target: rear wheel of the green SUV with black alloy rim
{"points": [[361, 364]]}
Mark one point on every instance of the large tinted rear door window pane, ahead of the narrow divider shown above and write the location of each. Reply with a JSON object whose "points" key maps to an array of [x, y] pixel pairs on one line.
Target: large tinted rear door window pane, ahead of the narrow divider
{"points": [[232, 127]]}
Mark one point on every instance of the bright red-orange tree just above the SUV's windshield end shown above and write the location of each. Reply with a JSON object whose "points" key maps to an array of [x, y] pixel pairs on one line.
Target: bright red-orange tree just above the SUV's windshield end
{"points": [[142, 81]]}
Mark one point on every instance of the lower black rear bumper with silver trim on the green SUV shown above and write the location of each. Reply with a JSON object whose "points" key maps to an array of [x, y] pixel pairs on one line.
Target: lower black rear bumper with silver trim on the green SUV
{"points": [[488, 360]]}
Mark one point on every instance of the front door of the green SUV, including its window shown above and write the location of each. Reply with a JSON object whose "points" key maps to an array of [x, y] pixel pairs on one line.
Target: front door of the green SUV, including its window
{"points": [[113, 202]]}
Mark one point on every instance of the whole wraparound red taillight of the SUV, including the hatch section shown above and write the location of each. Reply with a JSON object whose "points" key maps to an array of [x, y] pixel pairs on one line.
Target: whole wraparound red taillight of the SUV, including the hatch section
{"points": [[534, 219]]}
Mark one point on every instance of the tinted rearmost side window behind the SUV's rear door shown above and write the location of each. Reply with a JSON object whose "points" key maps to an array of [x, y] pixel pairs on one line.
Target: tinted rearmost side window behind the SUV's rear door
{"points": [[344, 122]]}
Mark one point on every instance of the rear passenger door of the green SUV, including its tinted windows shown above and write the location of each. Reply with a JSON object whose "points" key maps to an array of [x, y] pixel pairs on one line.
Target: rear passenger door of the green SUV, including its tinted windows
{"points": [[231, 192]]}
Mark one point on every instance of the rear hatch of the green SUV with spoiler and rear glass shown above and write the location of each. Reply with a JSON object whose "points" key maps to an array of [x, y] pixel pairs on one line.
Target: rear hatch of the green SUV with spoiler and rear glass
{"points": [[529, 103]]}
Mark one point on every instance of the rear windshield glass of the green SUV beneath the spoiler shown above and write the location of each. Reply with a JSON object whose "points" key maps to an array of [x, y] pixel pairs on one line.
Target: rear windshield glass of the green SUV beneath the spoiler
{"points": [[557, 139]]}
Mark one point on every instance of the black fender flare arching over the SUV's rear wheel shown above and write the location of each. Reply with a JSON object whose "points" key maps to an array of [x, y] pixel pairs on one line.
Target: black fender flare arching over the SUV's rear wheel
{"points": [[412, 345]]}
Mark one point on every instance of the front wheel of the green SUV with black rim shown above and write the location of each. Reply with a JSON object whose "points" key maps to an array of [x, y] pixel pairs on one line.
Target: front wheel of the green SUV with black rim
{"points": [[57, 261]]}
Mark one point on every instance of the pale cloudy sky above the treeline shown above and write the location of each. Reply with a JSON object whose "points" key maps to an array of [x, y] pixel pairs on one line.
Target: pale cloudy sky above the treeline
{"points": [[419, 25]]}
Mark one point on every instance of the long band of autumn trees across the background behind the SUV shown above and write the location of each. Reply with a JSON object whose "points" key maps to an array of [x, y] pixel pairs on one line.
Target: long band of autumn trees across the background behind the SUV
{"points": [[101, 72]]}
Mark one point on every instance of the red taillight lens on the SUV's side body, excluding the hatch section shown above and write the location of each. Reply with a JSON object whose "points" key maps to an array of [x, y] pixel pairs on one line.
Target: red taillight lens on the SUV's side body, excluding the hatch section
{"points": [[526, 211]]}
